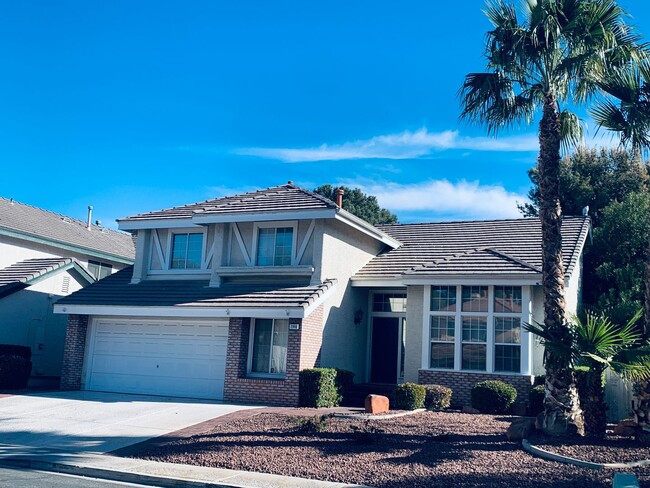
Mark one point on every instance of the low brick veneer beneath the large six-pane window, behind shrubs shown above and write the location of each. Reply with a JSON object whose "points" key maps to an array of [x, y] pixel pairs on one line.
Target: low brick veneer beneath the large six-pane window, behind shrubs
{"points": [[461, 383]]}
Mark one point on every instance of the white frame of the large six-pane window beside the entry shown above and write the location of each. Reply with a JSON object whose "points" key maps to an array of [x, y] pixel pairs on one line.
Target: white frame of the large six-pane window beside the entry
{"points": [[525, 337]]}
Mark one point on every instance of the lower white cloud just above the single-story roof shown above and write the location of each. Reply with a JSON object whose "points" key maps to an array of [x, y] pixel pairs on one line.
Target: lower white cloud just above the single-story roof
{"points": [[436, 199]]}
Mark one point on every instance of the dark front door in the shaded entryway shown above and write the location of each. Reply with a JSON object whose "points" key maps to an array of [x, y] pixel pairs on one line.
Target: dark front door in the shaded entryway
{"points": [[383, 356]]}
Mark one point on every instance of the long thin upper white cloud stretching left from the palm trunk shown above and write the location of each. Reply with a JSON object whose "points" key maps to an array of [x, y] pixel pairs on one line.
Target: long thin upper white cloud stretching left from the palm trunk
{"points": [[404, 145]]}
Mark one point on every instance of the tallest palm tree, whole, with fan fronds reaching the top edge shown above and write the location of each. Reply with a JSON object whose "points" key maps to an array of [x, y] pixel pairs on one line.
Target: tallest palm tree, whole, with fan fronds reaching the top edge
{"points": [[548, 59]]}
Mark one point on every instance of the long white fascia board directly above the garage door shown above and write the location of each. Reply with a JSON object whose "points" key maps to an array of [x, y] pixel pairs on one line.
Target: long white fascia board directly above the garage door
{"points": [[198, 312]]}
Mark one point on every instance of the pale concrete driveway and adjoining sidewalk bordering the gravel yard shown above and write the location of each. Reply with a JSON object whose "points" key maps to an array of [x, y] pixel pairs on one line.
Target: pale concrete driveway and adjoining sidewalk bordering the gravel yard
{"points": [[70, 432]]}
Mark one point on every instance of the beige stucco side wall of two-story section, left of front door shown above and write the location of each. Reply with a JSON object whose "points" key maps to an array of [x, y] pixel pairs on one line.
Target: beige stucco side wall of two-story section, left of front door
{"points": [[344, 252]]}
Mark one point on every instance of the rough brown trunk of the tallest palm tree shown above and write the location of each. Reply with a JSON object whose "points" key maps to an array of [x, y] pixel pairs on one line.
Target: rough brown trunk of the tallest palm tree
{"points": [[562, 413]]}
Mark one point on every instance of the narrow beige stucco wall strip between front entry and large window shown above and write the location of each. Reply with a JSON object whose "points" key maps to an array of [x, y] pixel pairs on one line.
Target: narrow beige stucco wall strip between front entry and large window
{"points": [[414, 332]]}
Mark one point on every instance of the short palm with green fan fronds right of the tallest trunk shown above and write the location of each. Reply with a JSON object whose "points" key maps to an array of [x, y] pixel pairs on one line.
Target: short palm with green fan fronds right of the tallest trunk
{"points": [[599, 344]]}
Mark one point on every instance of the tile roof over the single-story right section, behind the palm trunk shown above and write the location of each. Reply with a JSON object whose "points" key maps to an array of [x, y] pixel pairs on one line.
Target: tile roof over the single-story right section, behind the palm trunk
{"points": [[507, 247]]}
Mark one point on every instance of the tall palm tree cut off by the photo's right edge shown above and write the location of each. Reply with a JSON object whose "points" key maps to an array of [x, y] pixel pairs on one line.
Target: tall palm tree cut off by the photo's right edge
{"points": [[627, 112]]}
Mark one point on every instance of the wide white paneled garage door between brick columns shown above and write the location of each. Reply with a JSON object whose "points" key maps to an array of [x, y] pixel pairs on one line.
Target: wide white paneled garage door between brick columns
{"points": [[159, 357]]}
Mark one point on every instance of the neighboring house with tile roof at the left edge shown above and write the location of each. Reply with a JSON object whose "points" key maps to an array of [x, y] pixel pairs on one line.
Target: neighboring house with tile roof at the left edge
{"points": [[44, 256]]}
